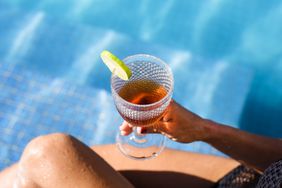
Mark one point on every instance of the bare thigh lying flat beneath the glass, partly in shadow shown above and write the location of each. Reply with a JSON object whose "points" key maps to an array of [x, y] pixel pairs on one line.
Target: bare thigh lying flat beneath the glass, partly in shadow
{"points": [[171, 167]]}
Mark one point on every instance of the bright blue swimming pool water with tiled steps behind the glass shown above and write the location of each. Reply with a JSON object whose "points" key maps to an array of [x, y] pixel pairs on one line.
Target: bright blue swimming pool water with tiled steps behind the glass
{"points": [[226, 57]]}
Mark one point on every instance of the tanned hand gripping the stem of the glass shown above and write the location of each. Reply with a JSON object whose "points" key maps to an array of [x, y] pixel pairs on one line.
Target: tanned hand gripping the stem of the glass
{"points": [[178, 124]]}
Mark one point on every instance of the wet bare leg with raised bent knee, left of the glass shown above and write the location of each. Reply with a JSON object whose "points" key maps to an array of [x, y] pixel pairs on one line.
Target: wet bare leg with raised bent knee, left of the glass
{"points": [[59, 160]]}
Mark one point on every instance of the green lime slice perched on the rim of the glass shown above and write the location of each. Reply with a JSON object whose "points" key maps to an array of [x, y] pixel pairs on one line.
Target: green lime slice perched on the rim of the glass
{"points": [[117, 66]]}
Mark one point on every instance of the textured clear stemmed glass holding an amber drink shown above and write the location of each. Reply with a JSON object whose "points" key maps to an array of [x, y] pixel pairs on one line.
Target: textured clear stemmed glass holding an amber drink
{"points": [[142, 101]]}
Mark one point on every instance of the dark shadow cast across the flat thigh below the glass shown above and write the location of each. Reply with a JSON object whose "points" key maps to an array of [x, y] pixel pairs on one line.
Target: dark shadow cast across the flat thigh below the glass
{"points": [[165, 179]]}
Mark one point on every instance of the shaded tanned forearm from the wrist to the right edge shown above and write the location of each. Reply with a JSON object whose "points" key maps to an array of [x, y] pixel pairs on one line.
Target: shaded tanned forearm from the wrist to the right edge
{"points": [[254, 150]]}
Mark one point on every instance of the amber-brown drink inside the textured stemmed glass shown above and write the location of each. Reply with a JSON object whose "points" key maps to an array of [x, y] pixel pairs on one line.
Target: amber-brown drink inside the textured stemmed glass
{"points": [[142, 92]]}
